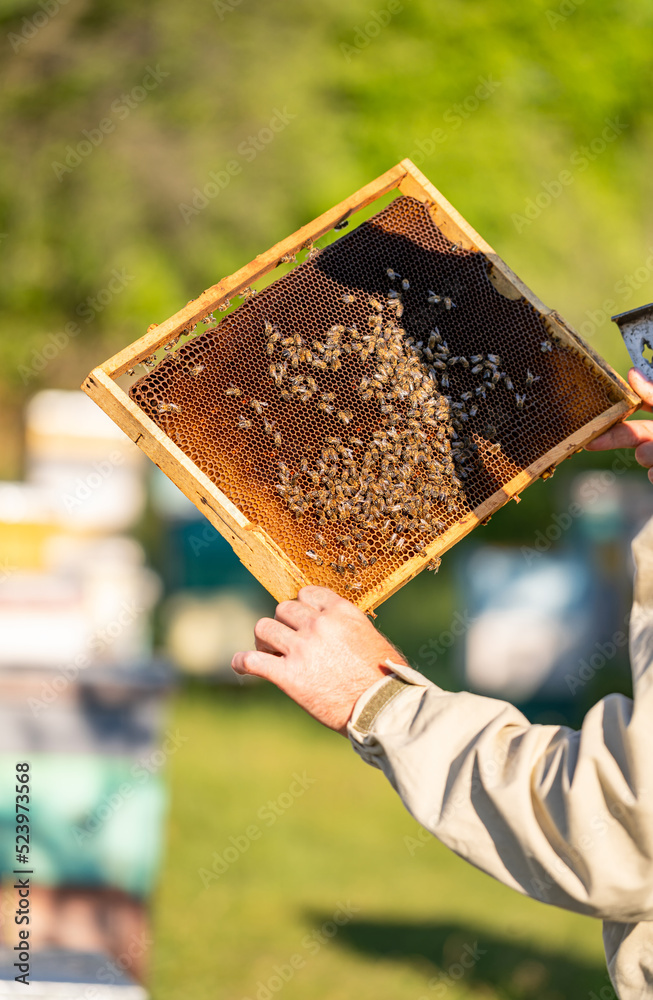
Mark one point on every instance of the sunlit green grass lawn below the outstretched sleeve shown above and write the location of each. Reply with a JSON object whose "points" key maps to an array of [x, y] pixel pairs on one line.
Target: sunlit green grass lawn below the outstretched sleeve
{"points": [[347, 840]]}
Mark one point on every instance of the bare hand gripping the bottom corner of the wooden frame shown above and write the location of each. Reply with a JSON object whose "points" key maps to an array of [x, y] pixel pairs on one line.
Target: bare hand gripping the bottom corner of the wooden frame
{"points": [[322, 651]]}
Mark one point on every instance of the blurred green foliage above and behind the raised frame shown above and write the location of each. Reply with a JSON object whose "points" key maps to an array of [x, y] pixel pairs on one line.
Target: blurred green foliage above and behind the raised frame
{"points": [[361, 96]]}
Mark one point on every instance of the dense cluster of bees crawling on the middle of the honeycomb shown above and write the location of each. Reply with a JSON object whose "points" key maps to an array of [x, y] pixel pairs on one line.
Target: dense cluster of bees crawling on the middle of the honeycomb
{"points": [[405, 481]]}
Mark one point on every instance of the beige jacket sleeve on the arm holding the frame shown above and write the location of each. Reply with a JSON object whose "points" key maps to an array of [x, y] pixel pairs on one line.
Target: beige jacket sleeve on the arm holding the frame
{"points": [[563, 816]]}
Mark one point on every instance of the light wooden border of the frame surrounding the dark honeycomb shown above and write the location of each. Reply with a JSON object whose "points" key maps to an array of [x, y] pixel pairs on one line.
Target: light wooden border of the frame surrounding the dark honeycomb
{"points": [[254, 547]]}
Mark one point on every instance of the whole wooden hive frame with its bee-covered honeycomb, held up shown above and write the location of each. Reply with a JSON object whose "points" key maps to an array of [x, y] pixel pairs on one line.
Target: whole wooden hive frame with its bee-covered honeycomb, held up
{"points": [[352, 420]]}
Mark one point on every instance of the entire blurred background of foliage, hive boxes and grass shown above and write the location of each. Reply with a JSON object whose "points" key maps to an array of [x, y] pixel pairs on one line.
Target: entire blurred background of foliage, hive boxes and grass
{"points": [[195, 835]]}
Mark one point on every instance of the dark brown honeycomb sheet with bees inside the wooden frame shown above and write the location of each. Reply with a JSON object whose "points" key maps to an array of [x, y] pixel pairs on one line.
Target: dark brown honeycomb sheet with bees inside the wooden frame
{"points": [[363, 403]]}
